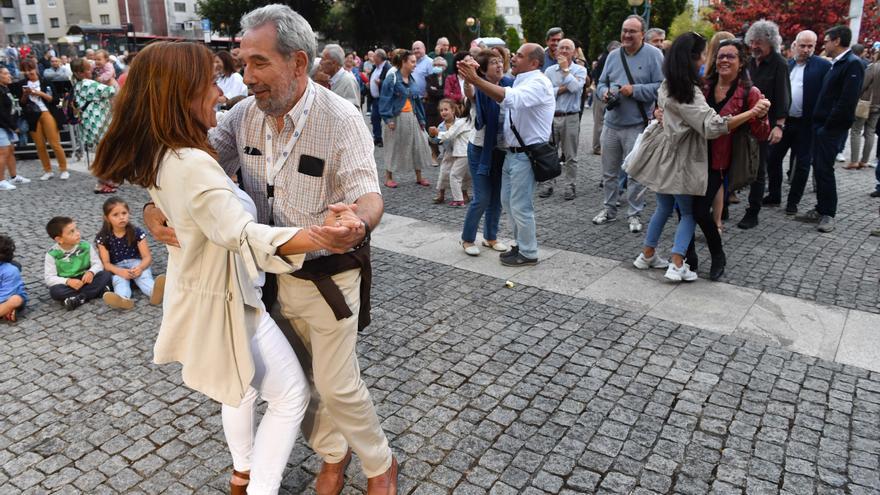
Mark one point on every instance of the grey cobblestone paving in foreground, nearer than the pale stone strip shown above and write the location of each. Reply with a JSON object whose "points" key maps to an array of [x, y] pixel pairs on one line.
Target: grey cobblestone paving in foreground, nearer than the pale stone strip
{"points": [[482, 389]]}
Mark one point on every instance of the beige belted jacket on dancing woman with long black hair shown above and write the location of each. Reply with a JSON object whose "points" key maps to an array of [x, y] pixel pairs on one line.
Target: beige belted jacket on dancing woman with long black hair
{"points": [[673, 157]]}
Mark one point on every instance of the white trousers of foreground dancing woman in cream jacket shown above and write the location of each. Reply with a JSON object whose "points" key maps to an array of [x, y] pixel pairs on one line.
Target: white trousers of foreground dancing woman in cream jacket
{"points": [[280, 381]]}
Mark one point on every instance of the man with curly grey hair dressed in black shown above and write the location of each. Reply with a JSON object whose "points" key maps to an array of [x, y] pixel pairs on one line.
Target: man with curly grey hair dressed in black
{"points": [[769, 72]]}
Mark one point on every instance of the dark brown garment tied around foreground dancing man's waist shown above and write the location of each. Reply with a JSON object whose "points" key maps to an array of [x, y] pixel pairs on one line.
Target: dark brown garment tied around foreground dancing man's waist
{"points": [[321, 270]]}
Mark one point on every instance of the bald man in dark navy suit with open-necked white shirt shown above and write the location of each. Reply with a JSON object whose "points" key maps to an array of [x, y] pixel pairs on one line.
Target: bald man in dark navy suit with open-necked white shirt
{"points": [[806, 72]]}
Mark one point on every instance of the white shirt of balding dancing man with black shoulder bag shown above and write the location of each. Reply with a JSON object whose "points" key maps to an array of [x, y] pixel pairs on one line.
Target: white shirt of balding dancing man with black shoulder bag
{"points": [[531, 104]]}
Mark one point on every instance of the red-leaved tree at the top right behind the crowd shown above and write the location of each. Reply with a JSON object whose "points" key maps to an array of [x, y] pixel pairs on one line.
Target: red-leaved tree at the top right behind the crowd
{"points": [[793, 16]]}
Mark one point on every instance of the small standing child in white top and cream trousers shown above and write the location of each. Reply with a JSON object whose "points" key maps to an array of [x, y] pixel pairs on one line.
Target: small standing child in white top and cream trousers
{"points": [[453, 134]]}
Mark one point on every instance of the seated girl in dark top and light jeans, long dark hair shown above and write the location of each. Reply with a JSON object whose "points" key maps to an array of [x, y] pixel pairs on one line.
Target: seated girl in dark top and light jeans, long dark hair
{"points": [[124, 252]]}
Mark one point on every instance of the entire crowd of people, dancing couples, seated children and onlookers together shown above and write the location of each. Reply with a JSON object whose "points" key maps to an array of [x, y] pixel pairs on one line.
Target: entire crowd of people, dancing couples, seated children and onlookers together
{"points": [[691, 120]]}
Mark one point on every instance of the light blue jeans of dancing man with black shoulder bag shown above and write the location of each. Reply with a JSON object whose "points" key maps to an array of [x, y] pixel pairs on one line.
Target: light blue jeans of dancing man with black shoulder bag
{"points": [[517, 192]]}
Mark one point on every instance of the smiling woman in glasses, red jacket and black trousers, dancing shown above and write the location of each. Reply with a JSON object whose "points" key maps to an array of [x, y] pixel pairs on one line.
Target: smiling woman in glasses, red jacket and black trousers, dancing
{"points": [[728, 91]]}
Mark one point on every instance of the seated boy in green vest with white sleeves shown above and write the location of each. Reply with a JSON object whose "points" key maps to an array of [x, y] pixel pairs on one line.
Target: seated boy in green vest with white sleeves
{"points": [[72, 269]]}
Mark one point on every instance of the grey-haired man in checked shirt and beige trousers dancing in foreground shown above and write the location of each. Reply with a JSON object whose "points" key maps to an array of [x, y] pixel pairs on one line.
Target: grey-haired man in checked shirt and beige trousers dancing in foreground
{"points": [[303, 152]]}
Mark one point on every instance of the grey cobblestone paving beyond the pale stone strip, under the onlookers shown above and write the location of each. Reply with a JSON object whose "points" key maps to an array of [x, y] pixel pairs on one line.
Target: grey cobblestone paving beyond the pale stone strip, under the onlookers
{"points": [[780, 255]]}
